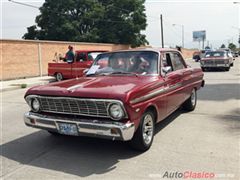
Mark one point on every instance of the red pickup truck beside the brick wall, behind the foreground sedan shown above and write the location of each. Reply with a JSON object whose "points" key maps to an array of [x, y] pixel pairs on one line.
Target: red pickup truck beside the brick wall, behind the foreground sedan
{"points": [[64, 70]]}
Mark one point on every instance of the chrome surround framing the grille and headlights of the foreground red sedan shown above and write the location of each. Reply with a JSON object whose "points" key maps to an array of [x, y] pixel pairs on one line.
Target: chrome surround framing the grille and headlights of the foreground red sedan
{"points": [[111, 101]]}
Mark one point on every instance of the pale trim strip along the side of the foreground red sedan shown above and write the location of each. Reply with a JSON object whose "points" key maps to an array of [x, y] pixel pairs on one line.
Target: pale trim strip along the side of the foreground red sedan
{"points": [[155, 93]]}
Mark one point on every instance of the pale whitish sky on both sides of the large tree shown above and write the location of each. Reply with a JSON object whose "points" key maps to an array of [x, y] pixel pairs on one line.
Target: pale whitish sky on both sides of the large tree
{"points": [[220, 19]]}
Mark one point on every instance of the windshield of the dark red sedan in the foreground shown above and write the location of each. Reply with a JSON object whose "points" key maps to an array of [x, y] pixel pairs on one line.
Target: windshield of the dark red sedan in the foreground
{"points": [[126, 62]]}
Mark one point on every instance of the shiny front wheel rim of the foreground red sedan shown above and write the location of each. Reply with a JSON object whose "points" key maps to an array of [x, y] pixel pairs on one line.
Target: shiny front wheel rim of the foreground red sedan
{"points": [[147, 129]]}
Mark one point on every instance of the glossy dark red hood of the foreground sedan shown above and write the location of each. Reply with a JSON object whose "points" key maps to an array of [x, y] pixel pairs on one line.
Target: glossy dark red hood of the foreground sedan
{"points": [[109, 87]]}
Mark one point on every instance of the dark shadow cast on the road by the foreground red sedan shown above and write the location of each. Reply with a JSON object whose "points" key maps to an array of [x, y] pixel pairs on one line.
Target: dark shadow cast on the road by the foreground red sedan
{"points": [[81, 156]]}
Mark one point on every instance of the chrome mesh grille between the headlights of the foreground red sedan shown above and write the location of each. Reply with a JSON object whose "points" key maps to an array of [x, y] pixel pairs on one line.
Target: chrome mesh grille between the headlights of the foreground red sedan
{"points": [[64, 105]]}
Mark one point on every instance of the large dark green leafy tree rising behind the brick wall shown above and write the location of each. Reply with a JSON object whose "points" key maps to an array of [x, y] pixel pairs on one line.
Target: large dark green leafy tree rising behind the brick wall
{"points": [[112, 21]]}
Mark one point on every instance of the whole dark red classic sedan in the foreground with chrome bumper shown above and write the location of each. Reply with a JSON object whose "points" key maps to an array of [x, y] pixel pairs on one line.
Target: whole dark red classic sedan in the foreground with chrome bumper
{"points": [[122, 96]]}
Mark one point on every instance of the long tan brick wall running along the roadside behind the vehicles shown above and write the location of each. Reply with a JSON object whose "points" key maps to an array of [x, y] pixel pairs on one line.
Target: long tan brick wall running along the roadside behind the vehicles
{"points": [[23, 58]]}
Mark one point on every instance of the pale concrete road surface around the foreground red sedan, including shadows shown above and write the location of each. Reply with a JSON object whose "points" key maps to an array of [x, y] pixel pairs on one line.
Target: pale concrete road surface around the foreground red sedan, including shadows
{"points": [[206, 140]]}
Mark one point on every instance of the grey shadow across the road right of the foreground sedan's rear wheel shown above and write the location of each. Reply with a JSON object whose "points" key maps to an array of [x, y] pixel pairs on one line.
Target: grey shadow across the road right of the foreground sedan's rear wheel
{"points": [[219, 92]]}
